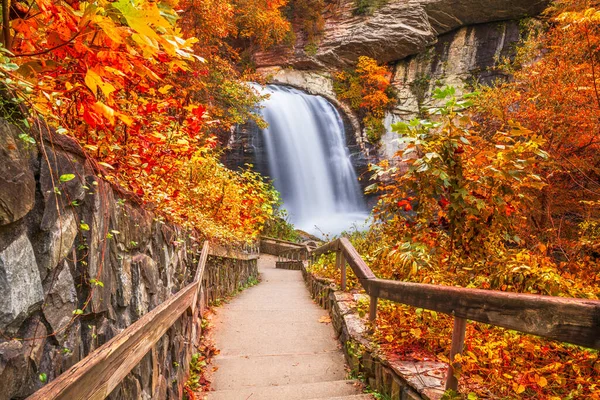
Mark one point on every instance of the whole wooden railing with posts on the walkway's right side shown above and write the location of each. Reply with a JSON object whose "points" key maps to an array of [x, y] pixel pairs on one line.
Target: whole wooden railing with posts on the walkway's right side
{"points": [[575, 321]]}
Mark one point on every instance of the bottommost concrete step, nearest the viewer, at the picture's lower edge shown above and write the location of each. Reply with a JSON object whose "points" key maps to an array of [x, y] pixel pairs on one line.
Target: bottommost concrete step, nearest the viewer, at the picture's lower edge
{"points": [[343, 389]]}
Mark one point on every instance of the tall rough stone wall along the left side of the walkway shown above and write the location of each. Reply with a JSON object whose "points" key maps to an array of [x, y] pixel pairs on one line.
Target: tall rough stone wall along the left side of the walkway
{"points": [[80, 261]]}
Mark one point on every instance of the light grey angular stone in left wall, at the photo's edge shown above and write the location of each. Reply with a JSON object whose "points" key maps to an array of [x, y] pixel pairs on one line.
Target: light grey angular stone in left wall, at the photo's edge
{"points": [[20, 283]]}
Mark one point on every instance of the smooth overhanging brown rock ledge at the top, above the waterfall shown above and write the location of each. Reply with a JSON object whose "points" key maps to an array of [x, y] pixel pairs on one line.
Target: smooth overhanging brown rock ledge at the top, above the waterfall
{"points": [[398, 29]]}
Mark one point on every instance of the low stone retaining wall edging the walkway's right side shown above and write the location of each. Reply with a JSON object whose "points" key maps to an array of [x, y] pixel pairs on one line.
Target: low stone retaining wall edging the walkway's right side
{"points": [[400, 380]]}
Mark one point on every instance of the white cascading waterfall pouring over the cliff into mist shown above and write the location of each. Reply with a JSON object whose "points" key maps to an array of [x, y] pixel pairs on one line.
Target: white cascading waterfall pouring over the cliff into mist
{"points": [[310, 163]]}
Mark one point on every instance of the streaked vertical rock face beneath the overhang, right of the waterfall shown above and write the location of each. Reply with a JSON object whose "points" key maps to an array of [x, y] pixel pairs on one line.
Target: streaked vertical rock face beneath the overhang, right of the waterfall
{"points": [[460, 59]]}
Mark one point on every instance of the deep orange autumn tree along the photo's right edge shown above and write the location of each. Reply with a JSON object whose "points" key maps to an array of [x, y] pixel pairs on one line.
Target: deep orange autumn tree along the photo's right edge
{"points": [[555, 93]]}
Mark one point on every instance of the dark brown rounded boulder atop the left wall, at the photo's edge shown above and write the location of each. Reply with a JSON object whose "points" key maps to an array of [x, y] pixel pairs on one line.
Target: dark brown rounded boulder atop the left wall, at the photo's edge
{"points": [[17, 182]]}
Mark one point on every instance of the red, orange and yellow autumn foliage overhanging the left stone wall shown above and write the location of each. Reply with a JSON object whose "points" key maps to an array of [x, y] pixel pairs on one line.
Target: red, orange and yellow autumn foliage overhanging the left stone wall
{"points": [[131, 86]]}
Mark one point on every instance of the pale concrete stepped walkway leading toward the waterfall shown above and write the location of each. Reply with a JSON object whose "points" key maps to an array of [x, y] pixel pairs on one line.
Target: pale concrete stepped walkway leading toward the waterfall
{"points": [[274, 347]]}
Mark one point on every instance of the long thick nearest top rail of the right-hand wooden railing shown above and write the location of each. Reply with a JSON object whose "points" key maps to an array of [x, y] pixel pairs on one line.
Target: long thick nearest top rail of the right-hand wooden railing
{"points": [[568, 320]]}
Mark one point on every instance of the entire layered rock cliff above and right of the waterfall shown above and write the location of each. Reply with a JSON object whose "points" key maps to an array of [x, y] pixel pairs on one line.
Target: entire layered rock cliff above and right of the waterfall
{"points": [[426, 43]]}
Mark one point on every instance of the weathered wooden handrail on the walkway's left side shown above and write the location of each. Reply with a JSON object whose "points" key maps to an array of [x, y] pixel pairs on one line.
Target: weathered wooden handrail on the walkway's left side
{"points": [[95, 376]]}
